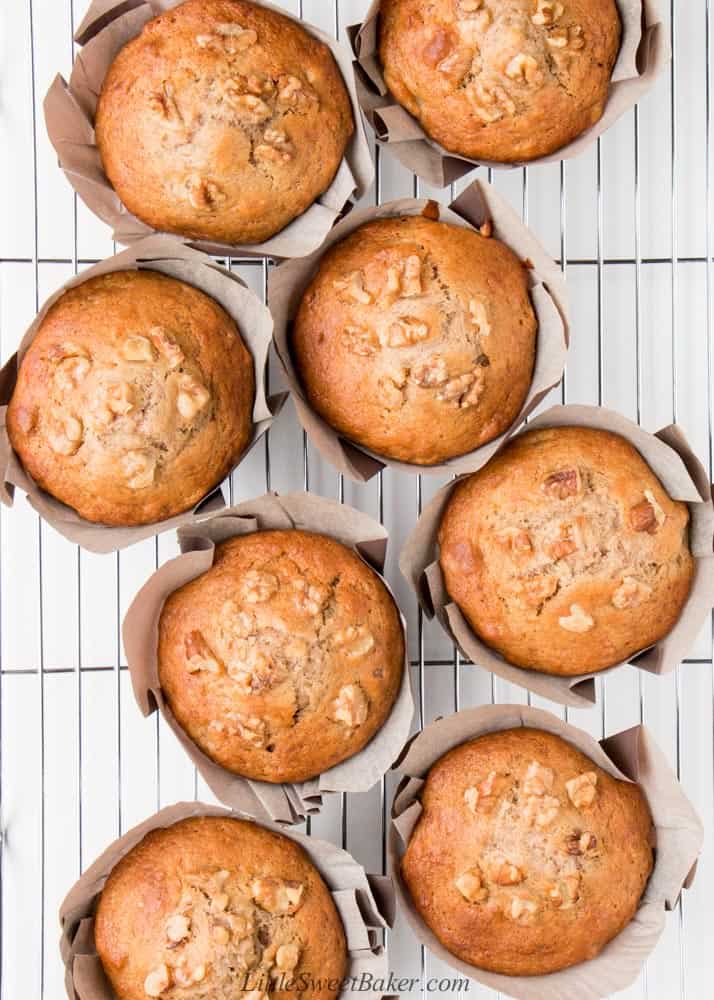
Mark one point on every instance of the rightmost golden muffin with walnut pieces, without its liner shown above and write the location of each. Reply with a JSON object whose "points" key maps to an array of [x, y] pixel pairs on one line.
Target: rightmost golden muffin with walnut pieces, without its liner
{"points": [[565, 553]]}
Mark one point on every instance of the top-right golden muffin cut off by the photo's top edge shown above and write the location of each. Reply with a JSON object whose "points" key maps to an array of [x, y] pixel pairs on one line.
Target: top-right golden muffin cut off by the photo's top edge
{"points": [[500, 80]]}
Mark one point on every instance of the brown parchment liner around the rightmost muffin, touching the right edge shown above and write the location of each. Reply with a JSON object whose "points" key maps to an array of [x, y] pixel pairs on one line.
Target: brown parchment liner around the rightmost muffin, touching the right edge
{"points": [[682, 475]]}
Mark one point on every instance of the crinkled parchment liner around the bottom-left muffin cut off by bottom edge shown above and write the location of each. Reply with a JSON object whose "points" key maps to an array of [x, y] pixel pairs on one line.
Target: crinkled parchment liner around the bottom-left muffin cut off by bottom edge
{"points": [[365, 903]]}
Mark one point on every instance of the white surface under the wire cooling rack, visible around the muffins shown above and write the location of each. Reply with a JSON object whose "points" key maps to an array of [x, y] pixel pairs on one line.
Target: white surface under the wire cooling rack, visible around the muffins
{"points": [[632, 218]]}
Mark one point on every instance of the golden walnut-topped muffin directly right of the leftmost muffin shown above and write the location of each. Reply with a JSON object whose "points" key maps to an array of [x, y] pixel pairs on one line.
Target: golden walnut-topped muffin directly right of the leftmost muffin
{"points": [[416, 339]]}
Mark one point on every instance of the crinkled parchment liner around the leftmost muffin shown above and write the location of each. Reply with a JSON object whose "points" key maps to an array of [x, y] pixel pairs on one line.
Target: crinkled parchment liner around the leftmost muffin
{"points": [[167, 256]]}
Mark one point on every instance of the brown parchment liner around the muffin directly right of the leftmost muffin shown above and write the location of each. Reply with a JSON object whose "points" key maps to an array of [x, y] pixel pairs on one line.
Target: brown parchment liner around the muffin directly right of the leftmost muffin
{"points": [[479, 203]]}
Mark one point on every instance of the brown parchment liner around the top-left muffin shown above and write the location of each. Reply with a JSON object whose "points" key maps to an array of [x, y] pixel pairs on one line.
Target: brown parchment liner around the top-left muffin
{"points": [[69, 116]]}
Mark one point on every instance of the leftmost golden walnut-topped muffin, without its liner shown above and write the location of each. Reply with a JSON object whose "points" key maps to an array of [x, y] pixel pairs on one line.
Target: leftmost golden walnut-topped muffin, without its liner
{"points": [[134, 400]]}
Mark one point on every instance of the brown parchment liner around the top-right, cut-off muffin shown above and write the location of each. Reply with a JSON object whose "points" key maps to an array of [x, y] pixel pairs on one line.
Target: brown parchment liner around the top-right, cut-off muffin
{"points": [[644, 51]]}
